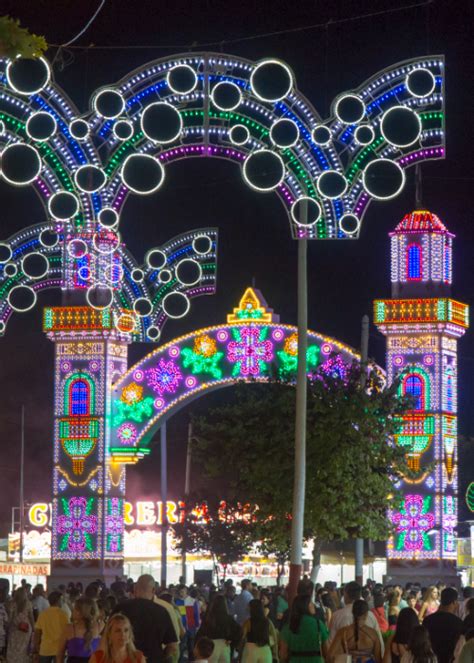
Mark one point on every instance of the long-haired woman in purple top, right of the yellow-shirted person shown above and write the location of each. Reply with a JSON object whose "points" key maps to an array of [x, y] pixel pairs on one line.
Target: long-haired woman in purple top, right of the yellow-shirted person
{"points": [[81, 637]]}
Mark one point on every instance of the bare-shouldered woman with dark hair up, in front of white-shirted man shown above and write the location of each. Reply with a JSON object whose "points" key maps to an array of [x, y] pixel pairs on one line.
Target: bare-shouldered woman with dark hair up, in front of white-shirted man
{"points": [[358, 640]]}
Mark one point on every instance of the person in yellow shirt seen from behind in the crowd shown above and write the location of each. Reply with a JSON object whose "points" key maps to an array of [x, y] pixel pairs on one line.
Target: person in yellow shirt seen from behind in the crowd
{"points": [[49, 629]]}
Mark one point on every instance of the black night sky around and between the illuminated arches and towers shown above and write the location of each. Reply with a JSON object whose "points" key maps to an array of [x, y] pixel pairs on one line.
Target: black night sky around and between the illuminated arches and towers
{"points": [[255, 242]]}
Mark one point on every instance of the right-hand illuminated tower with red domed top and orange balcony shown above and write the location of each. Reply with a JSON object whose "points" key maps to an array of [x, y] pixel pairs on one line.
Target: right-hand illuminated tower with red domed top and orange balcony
{"points": [[422, 325]]}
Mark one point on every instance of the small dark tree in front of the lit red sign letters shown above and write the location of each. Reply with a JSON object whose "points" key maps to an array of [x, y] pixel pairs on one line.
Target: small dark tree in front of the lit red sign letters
{"points": [[221, 528]]}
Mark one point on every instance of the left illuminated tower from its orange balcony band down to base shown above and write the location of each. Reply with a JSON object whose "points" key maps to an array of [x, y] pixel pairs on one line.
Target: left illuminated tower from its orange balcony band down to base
{"points": [[88, 488]]}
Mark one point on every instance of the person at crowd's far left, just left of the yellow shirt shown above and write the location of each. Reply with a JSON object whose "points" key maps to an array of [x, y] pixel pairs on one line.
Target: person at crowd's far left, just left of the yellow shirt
{"points": [[20, 627]]}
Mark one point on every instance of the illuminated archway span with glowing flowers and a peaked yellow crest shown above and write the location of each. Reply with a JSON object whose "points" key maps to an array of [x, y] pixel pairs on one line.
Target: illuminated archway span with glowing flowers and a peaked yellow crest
{"points": [[251, 346]]}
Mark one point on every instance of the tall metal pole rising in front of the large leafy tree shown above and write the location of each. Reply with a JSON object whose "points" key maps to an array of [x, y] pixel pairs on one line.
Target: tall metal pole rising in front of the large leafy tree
{"points": [[299, 486]]}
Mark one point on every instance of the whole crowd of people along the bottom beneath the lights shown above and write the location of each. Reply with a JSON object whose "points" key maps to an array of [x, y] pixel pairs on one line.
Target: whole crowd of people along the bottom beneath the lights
{"points": [[134, 622]]}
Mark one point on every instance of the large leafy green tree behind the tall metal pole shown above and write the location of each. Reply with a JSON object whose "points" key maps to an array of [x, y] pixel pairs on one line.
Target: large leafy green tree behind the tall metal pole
{"points": [[351, 463]]}
